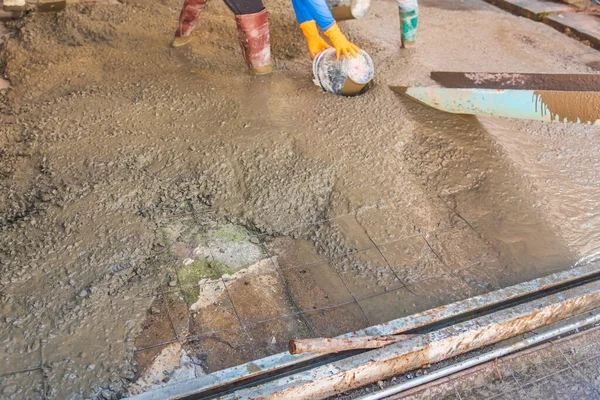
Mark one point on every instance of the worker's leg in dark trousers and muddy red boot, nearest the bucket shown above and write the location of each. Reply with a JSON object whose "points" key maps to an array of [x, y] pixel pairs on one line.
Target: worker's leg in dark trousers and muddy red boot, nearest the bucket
{"points": [[253, 33]]}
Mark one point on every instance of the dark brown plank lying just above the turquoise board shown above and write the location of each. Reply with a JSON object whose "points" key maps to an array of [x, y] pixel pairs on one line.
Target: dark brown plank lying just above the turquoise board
{"points": [[518, 81]]}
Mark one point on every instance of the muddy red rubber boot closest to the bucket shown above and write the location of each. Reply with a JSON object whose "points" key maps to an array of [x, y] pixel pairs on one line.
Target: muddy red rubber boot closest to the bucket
{"points": [[253, 33]]}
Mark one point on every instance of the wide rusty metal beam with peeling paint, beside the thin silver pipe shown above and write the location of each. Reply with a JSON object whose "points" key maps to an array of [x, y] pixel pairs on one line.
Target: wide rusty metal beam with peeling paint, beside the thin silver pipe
{"points": [[423, 350]]}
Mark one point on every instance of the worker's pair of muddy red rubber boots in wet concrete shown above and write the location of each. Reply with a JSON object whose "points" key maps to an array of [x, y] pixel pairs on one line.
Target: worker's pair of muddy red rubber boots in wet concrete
{"points": [[253, 34]]}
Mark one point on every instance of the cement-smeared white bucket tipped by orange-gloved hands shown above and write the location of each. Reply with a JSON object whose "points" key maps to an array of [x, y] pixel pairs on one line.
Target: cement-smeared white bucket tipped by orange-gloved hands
{"points": [[343, 77]]}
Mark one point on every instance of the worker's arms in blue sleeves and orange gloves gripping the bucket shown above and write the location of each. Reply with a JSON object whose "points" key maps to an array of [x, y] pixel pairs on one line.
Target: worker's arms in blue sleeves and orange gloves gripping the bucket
{"points": [[313, 13]]}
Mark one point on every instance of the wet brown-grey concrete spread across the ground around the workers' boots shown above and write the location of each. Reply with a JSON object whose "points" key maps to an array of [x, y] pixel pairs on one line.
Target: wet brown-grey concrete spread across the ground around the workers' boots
{"points": [[115, 149]]}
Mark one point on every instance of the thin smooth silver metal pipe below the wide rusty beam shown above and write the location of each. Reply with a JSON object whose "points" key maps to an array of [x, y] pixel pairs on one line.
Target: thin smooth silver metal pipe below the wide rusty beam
{"points": [[461, 366]]}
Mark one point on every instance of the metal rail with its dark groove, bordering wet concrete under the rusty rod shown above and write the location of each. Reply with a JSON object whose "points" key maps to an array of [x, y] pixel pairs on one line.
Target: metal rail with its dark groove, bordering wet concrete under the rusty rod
{"points": [[284, 364]]}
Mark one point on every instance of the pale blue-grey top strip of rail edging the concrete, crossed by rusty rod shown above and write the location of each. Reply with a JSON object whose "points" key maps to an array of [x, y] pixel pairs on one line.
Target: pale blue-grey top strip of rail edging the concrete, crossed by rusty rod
{"points": [[280, 361]]}
